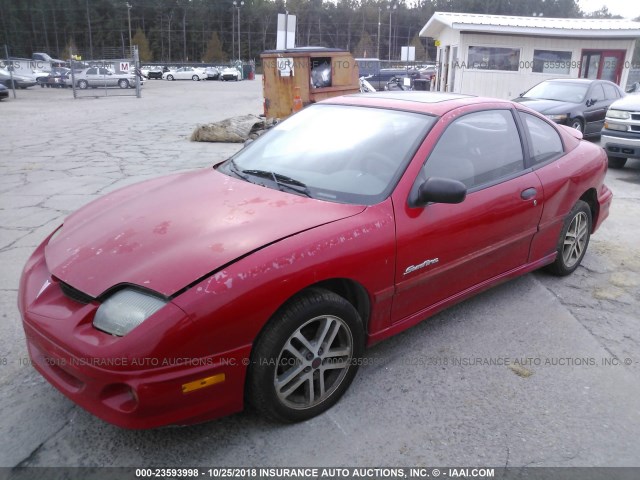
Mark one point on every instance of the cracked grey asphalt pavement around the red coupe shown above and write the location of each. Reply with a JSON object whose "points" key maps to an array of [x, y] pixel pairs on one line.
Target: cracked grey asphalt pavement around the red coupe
{"points": [[438, 394]]}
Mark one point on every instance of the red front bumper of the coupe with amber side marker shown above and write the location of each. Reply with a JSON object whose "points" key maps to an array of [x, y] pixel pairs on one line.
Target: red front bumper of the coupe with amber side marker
{"points": [[108, 376]]}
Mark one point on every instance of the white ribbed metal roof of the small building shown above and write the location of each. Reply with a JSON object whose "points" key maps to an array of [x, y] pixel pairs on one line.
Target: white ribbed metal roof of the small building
{"points": [[533, 26]]}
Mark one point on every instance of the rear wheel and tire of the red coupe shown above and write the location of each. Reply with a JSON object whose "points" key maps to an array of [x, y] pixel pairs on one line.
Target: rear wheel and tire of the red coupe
{"points": [[573, 241]]}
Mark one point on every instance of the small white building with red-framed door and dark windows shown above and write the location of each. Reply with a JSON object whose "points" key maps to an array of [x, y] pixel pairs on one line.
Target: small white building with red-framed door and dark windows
{"points": [[502, 56]]}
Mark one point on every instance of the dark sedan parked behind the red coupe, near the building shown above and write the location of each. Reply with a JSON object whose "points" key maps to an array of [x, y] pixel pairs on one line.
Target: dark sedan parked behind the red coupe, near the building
{"points": [[577, 102]]}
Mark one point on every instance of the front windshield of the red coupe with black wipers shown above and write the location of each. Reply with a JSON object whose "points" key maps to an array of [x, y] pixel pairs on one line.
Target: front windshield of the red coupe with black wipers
{"points": [[337, 153]]}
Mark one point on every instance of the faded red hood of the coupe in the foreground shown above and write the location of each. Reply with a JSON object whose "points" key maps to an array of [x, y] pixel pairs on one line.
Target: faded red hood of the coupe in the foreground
{"points": [[165, 234]]}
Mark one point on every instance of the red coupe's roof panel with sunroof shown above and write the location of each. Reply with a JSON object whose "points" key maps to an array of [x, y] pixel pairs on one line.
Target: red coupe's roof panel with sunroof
{"points": [[433, 103]]}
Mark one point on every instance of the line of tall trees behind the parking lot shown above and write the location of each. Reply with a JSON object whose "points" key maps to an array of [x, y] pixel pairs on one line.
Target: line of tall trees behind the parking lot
{"points": [[220, 30]]}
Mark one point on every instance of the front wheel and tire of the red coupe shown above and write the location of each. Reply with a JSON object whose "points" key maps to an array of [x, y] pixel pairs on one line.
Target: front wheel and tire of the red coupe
{"points": [[306, 357]]}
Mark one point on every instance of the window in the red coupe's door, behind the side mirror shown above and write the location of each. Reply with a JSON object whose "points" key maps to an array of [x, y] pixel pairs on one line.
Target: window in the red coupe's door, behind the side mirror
{"points": [[477, 149]]}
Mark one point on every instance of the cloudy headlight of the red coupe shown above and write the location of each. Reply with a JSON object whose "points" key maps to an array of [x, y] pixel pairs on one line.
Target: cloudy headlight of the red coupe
{"points": [[125, 310]]}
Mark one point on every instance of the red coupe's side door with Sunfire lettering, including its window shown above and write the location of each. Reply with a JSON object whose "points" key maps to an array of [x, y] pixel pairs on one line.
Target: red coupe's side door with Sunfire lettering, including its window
{"points": [[445, 250]]}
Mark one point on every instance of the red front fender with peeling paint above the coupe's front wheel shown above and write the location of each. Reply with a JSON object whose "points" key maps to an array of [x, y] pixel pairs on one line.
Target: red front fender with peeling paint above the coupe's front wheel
{"points": [[229, 308]]}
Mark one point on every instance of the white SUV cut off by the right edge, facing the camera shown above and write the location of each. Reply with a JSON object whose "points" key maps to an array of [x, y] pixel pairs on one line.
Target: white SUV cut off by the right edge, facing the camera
{"points": [[620, 136]]}
